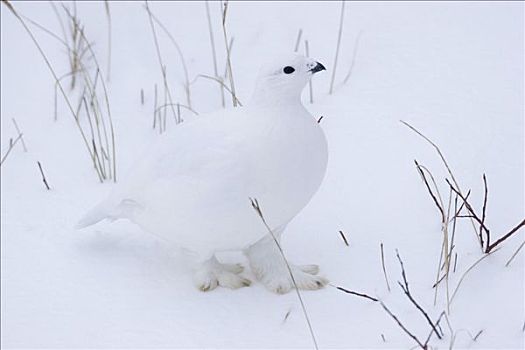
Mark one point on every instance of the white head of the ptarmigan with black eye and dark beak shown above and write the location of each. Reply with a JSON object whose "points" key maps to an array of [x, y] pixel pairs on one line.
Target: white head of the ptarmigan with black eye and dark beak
{"points": [[282, 79]]}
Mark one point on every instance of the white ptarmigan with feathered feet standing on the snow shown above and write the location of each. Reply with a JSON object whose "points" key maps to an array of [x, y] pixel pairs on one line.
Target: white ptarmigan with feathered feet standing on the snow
{"points": [[193, 186]]}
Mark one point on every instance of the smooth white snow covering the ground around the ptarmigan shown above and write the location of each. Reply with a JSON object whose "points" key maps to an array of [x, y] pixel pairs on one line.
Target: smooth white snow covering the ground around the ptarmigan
{"points": [[453, 70]]}
